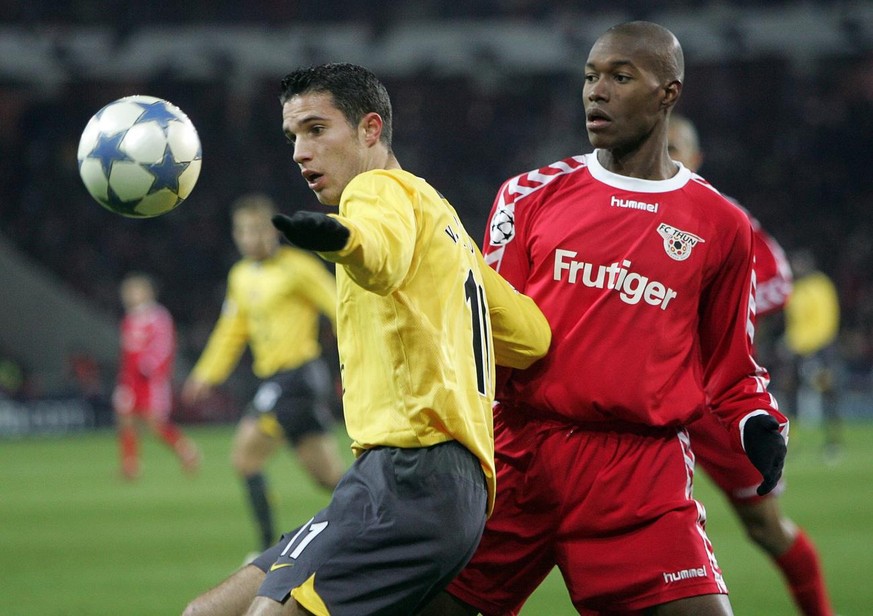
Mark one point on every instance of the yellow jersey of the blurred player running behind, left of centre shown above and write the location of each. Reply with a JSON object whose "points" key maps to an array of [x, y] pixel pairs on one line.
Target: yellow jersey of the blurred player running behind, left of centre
{"points": [[273, 306]]}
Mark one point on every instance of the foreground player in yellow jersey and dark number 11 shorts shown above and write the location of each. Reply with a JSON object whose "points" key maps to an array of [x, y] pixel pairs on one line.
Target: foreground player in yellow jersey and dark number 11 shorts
{"points": [[421, 321]]}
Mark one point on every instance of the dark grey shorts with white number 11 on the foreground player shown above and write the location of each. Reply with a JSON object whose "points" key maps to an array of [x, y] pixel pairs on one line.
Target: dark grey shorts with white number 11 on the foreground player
{"points": [[399, 527]]}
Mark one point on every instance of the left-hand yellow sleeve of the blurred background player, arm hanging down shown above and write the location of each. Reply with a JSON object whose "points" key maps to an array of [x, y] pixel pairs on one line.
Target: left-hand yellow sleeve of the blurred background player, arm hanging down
{"points": [[225, 345]]}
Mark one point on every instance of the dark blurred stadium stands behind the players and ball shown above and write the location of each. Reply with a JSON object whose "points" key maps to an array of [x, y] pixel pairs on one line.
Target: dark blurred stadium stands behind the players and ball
{"points": [[782, 93]]}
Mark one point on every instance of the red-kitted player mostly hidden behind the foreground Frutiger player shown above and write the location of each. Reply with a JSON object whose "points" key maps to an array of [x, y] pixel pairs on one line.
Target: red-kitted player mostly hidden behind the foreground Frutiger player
{"points": [[789, 547]]}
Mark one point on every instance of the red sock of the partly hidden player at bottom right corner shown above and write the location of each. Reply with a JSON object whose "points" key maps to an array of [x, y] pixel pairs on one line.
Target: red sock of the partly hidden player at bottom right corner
{"points": [[801, 568]]}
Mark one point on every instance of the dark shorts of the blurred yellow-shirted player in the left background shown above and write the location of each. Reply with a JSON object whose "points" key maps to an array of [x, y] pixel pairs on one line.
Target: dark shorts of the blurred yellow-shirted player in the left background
{"points": [[299, 400]]}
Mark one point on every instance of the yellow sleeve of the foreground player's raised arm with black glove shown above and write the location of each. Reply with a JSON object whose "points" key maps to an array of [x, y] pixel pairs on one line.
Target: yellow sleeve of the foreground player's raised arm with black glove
{"points": [[381, 222]]}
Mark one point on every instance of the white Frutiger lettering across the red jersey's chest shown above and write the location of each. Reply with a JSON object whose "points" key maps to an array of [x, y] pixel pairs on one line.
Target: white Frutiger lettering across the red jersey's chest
{"points": [[631, 287]]}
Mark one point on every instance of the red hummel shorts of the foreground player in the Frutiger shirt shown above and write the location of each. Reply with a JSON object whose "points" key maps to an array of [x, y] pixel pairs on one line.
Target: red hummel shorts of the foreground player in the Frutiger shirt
{"points": [[611, 508]]}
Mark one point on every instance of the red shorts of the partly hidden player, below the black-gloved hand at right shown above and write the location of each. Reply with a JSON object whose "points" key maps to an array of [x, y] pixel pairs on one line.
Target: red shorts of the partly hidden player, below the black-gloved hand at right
{"points": [[728, 468]]}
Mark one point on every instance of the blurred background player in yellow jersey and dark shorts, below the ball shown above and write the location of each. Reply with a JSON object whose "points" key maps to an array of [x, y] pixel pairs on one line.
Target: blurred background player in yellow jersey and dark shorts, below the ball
{"points": [[275, 296]]}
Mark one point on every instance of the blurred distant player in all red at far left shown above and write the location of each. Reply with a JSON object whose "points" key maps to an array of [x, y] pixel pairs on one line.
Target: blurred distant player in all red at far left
{"points": [[145, 376]]}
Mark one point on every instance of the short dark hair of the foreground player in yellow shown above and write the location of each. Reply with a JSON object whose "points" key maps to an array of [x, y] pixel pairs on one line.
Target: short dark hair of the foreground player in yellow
{"points": [[356, 91]]}
